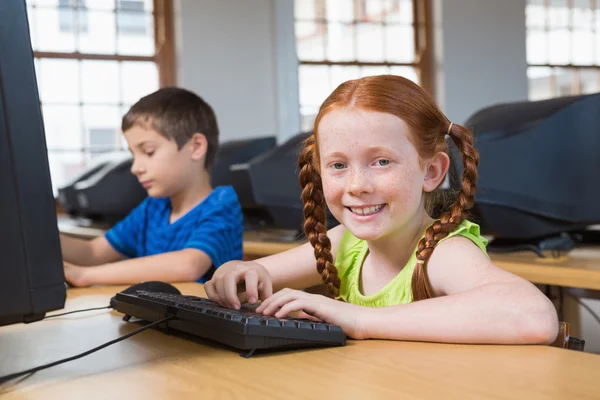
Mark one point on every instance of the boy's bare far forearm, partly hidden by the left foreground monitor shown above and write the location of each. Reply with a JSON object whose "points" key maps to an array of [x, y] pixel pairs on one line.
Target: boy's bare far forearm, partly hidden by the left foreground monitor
{"points": [[87, 252]]}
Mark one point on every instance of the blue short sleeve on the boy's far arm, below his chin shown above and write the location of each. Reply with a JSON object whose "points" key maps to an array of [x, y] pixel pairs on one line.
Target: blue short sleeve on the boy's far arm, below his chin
{"points": [[123, 237]]}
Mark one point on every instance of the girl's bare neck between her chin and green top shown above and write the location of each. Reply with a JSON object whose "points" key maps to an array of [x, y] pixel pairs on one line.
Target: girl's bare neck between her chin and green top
{"points": [[394, 251]]}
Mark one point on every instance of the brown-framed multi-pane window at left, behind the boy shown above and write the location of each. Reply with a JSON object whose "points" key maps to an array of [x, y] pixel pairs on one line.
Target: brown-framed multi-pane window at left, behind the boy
{"points": [[67, 160]]}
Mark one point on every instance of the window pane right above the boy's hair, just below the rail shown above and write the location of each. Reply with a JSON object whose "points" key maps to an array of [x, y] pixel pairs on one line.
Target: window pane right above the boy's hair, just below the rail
{"points": [[139, 79]]}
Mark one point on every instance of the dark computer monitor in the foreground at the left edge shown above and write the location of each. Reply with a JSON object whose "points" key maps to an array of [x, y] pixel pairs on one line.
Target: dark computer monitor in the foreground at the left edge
{"points": [[31, 270]]}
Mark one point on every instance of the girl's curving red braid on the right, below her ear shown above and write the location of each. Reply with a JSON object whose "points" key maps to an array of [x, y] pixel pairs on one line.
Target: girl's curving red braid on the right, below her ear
{"points": [[448, 221]]}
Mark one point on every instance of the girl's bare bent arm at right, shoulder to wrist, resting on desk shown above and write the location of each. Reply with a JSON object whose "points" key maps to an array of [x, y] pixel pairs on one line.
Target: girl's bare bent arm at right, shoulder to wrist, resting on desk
{"points": [[474, 302]]}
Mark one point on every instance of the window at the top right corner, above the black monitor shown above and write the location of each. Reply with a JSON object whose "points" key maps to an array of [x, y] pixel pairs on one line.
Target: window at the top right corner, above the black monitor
{"points": [[563, 47]]}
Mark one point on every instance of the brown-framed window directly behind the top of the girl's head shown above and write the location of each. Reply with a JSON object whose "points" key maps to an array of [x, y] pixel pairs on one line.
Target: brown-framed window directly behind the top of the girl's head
{"points": [[338, 40]]}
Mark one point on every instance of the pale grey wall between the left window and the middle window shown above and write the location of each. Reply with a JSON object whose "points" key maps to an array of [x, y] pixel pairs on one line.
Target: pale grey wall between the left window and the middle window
{"points": [[227, 52]]}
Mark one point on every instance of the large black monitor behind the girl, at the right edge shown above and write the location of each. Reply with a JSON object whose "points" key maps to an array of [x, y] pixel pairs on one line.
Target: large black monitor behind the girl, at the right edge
{"points": [[539, 172]]}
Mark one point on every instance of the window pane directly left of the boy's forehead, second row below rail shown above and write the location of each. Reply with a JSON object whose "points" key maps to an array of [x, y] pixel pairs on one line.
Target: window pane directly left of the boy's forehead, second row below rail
{"points": [[101, 125]]}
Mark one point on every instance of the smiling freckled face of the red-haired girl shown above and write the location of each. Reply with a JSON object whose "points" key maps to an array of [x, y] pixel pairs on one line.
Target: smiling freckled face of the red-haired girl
{"points": [[370, 170]]}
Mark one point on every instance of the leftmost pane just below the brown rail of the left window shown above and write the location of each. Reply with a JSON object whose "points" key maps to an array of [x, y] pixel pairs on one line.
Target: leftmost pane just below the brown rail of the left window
{"points": [[59, 81]]}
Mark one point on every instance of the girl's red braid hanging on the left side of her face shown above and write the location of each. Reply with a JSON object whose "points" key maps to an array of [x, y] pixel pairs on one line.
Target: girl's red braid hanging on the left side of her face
{"points": [[315, 217]]}
